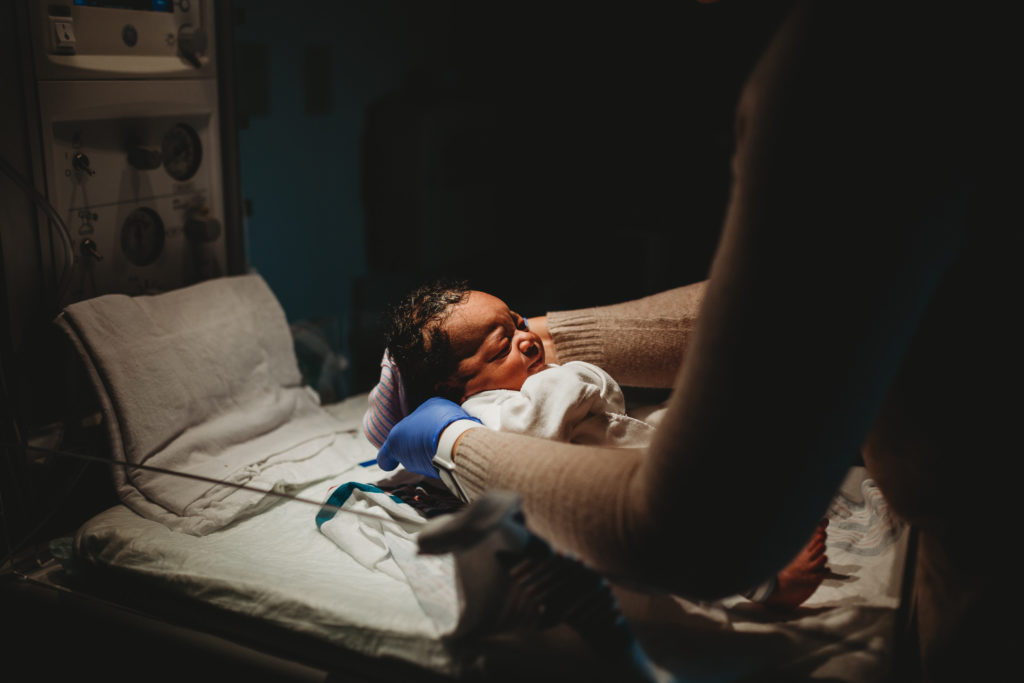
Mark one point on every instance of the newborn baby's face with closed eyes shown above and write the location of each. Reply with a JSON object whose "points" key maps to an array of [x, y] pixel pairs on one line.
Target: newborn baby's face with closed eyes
{"points": [[497, 350]]}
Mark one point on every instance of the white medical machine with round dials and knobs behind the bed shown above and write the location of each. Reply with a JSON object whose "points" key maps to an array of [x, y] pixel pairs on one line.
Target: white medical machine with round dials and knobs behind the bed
{"points": [[131, 142]]}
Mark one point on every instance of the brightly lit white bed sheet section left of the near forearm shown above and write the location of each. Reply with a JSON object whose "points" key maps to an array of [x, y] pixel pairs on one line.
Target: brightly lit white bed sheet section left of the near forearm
{"points": [[279, 568]]}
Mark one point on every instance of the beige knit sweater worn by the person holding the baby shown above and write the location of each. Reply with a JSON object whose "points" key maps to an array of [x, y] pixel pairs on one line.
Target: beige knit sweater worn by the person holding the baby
{"points": [[855, 304]]}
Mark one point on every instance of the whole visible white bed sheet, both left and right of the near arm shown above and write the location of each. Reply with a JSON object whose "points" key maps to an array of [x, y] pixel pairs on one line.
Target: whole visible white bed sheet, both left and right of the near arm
{"points": [[280, 568]]}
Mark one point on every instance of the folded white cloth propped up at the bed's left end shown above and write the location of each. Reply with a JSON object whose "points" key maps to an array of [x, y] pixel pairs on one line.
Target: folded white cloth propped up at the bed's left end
{"points": [[203, 381]]}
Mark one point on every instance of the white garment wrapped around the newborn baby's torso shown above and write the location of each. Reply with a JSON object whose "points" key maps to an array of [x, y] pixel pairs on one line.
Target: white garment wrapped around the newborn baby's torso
{"points": [[576, 402]]}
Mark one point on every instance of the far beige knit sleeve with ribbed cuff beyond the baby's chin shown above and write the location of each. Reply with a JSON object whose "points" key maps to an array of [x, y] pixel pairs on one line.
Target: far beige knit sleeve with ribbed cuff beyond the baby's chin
{"points": [[641, 344]]}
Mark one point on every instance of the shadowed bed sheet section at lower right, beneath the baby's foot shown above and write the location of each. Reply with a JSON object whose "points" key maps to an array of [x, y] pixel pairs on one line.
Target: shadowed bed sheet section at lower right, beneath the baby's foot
{"points": [[844, 632]]}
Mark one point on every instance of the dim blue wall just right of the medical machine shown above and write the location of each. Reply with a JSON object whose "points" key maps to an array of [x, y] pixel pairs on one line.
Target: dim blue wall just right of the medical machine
{"points": [[301, 172]]}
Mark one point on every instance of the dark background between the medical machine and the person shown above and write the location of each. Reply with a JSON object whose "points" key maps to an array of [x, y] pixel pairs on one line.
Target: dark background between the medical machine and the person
{"points": [[559, 155]]}
